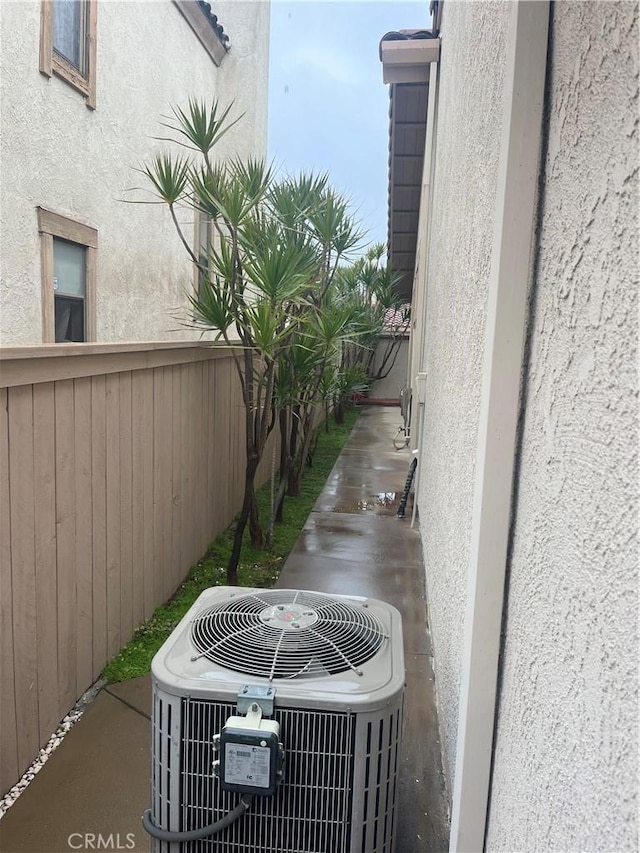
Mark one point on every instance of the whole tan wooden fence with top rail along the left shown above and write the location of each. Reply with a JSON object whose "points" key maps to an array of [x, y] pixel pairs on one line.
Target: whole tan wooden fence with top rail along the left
{"points": [[118, 465]]}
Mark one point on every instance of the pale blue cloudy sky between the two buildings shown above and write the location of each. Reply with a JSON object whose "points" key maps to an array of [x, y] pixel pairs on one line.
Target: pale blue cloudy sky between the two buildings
{"points": [[328, 107]]}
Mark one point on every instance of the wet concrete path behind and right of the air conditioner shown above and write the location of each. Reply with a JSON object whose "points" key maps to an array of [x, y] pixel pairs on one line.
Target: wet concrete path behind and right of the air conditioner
{"points": [[353, 544]]}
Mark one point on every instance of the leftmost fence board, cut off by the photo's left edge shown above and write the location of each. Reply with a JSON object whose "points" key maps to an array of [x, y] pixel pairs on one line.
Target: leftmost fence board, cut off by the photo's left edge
{"points": [[9, 765]]}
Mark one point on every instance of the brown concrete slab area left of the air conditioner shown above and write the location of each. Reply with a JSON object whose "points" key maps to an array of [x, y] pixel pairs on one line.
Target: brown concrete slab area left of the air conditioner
{"points": [[95, 785]]}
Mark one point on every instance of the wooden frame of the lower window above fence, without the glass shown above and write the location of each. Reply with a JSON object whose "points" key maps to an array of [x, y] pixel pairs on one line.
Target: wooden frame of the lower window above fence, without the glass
{"points": [[51, 225]]}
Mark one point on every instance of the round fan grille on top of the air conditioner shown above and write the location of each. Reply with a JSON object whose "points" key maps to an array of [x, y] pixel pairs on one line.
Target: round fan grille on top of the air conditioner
{"points": [[287, 634]]}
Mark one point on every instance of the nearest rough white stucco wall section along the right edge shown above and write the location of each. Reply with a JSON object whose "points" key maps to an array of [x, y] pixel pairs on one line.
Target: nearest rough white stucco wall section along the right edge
{"points": [[566, 760]]}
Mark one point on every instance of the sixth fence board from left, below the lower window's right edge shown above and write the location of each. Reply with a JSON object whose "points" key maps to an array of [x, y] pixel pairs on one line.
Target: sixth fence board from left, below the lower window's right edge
{"points": [[99, 527]]}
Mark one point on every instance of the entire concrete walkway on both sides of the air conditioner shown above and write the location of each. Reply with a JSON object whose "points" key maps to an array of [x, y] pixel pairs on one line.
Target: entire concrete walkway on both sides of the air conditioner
{"points": [[97, 781]]}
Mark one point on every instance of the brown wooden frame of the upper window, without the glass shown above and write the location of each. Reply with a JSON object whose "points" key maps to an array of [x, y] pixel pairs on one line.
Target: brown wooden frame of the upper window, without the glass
{"points": [[52, 62]]}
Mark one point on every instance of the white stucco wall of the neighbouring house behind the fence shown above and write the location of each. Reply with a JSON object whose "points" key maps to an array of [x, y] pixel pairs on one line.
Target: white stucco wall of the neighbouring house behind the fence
{"points": [[57, 154]]}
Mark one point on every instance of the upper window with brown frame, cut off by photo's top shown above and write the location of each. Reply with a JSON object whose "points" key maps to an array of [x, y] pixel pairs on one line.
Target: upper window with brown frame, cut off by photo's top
{"points": [[68, 43]]}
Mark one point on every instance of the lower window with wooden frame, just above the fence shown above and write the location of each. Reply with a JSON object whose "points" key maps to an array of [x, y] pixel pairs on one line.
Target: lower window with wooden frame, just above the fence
{"points": [[68, 278]]}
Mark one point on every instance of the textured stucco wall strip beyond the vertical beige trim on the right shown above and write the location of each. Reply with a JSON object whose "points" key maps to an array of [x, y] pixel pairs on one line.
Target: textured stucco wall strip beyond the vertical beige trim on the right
{"points": [[468, 141]]}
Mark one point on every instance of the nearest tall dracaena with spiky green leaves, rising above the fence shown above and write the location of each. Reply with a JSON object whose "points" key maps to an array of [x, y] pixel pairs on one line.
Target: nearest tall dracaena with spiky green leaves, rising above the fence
{"points": [[264, 283]]}
